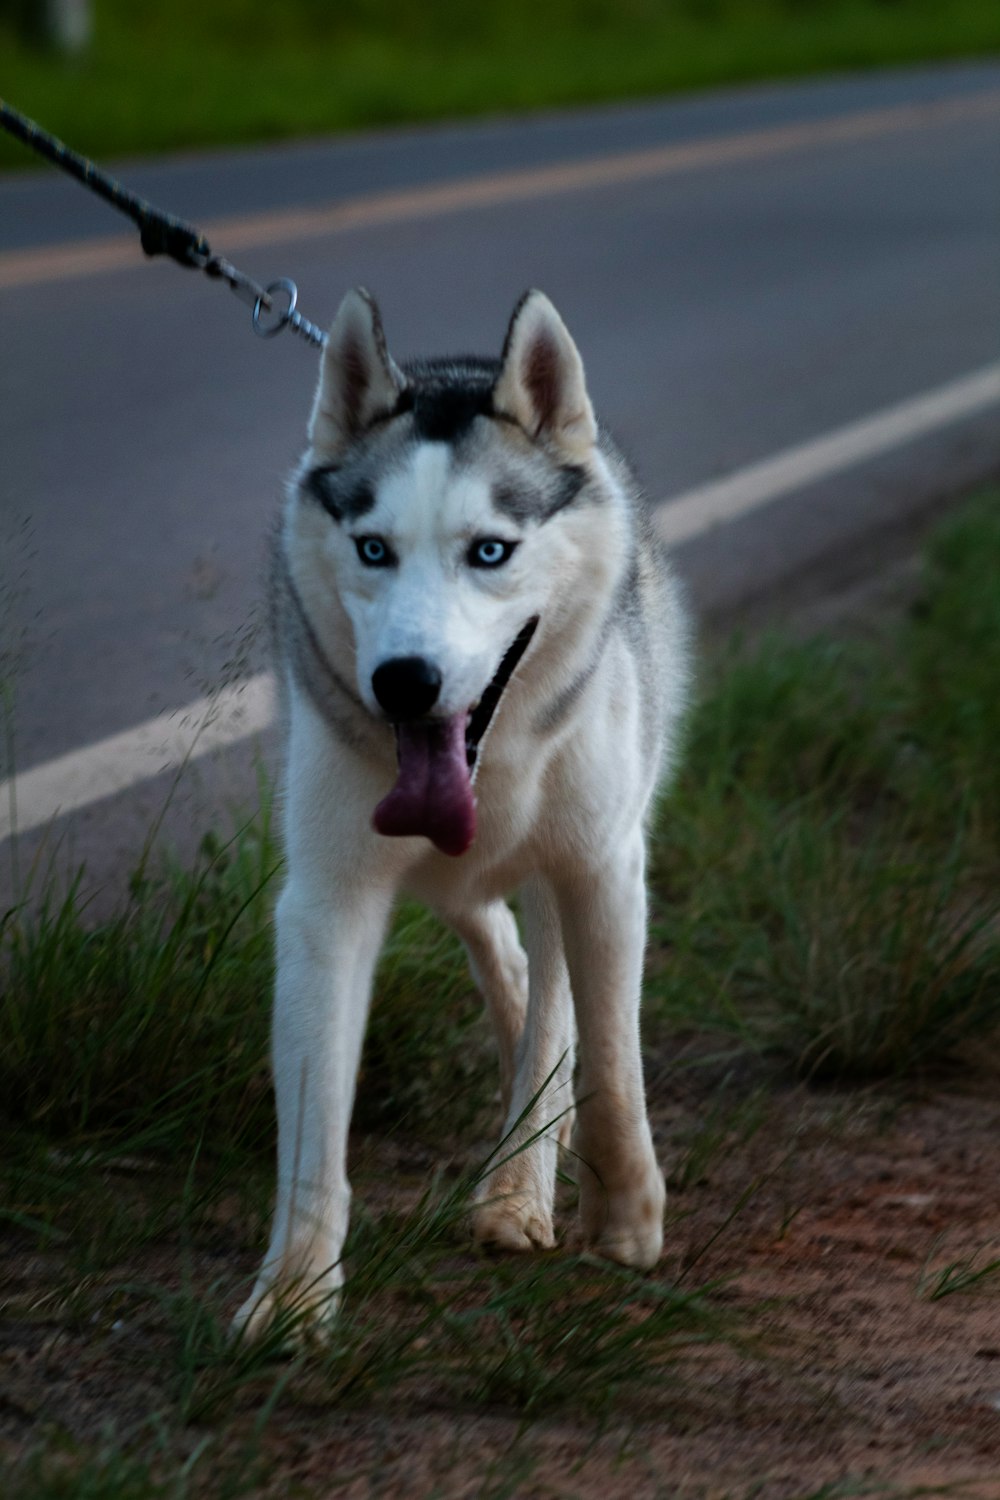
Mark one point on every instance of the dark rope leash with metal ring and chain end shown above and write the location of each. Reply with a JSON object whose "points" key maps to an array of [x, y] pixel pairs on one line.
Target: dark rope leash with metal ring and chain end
{"points": [[166, 235]]}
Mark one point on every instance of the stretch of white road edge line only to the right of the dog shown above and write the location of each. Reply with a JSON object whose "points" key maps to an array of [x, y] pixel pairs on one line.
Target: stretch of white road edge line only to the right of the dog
{"points": [[728, 499]]}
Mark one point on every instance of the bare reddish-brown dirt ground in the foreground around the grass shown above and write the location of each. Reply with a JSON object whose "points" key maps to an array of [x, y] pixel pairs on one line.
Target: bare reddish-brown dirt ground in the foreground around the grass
{"points": [[855, 1378]]}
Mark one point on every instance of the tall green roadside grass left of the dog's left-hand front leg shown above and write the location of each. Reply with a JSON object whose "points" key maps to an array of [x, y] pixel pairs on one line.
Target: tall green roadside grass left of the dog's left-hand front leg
{"points": [[151, 1019]]}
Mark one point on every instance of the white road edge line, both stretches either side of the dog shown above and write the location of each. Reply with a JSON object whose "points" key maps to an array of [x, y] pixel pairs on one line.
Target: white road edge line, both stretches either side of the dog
{"points": [[169, 742]]}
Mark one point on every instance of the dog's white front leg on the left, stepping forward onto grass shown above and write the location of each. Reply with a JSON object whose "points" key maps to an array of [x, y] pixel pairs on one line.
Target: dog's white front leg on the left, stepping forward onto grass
{"points": [[328, 947]]}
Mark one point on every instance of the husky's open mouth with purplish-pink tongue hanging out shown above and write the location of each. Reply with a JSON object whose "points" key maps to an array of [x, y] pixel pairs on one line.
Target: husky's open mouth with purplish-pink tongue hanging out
{"points": [[436, 761]]}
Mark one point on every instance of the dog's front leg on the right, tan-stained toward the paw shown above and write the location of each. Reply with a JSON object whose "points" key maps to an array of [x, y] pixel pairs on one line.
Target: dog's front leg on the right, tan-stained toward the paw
{"points": [[605, 931]]}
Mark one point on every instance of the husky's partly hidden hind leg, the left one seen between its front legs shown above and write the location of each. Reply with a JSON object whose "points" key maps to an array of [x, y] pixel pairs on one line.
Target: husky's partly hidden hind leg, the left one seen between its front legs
{"points": [[500, 970]]}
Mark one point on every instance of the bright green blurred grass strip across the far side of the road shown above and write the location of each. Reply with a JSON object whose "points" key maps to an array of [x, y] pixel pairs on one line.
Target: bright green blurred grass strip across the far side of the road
{"points": [[163, 77]]}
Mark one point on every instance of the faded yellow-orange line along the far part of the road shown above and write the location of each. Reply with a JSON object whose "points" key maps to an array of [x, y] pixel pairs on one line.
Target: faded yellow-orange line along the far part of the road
{"points": [[58, 263]]}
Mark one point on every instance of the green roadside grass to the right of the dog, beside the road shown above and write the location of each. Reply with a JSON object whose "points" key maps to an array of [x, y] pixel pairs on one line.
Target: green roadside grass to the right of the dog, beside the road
{"points": [[827, 866]]}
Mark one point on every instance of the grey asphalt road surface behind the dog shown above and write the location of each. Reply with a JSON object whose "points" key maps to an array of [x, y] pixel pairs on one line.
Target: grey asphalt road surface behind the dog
{"points": [[758, 269]]}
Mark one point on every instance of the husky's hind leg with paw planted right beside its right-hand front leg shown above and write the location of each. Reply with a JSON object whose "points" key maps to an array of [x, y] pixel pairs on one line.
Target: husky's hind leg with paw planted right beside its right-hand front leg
{"points": [[516, 1198]]}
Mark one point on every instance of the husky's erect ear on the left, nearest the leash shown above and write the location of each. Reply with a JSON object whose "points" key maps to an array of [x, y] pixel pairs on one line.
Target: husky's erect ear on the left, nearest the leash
{"points": [[359, 379]]}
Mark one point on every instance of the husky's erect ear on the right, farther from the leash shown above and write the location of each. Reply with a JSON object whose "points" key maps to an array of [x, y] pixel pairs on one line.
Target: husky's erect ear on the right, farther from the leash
{"points": [[542, 382]]}
